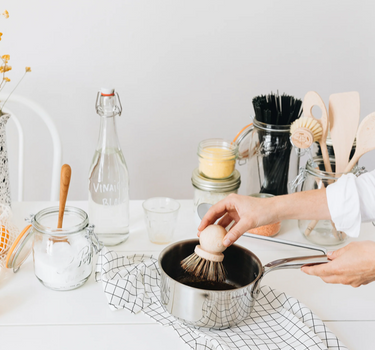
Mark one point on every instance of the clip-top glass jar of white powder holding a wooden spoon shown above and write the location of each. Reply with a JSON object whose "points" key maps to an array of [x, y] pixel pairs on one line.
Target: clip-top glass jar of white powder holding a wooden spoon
{"points": [[63, 257]]}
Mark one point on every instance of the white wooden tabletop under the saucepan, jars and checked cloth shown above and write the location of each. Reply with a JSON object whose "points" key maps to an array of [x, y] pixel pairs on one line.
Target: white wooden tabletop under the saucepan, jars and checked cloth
{"points": [[34, 317]]}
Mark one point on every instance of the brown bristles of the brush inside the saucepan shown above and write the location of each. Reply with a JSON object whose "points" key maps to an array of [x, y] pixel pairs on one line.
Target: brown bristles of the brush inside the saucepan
{"points": [[204, 269]]}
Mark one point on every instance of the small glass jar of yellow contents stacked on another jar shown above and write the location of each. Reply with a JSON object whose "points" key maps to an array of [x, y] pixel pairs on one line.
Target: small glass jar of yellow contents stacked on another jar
{"points": [[217, 158]]}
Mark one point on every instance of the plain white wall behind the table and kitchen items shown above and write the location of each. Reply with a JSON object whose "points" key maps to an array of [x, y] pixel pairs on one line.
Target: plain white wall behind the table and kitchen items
{"points": [[185, 71]]}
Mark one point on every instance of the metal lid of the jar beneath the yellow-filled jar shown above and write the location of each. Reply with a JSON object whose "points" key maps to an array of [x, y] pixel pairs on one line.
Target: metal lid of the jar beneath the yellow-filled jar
{"points": [[231, 183]]}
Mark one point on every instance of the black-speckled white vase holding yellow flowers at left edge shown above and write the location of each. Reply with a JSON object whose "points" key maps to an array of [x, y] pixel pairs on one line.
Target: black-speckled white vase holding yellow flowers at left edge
{"points": [[4, 166]]}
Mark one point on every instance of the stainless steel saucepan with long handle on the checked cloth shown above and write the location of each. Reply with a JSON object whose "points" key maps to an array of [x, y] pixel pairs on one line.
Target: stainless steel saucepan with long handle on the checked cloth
{"points": [[219, 306]]}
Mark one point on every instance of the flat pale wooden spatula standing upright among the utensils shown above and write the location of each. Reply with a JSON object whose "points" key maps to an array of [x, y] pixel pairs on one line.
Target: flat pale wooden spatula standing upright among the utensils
{"points": [[344, 111]]}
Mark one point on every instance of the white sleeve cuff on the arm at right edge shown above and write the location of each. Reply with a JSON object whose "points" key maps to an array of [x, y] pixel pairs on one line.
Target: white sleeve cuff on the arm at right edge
{"points": [[351, 200]]}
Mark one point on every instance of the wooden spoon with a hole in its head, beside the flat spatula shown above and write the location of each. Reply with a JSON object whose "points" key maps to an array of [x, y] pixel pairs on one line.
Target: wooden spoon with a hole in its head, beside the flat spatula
{"points": [[310, 100]]}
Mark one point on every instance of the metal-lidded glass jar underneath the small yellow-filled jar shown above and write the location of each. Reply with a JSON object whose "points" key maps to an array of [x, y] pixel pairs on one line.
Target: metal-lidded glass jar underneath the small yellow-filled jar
{"points": [[209, 191]]}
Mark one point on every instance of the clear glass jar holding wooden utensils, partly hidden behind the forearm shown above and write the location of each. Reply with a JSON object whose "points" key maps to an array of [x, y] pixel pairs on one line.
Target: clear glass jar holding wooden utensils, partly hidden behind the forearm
{"points": [[312, 177]]}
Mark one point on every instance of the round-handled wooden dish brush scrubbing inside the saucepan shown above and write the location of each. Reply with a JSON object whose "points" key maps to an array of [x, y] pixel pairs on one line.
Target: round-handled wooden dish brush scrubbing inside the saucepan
{"points": [[207, 260]]}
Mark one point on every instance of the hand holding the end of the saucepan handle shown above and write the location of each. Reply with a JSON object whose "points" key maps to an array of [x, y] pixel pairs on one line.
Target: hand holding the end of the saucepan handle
{"points": [[353, 264]]}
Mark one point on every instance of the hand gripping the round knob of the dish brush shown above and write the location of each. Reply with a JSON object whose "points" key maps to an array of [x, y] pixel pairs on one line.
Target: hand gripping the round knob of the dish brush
{"points": [[247, 212]]}
